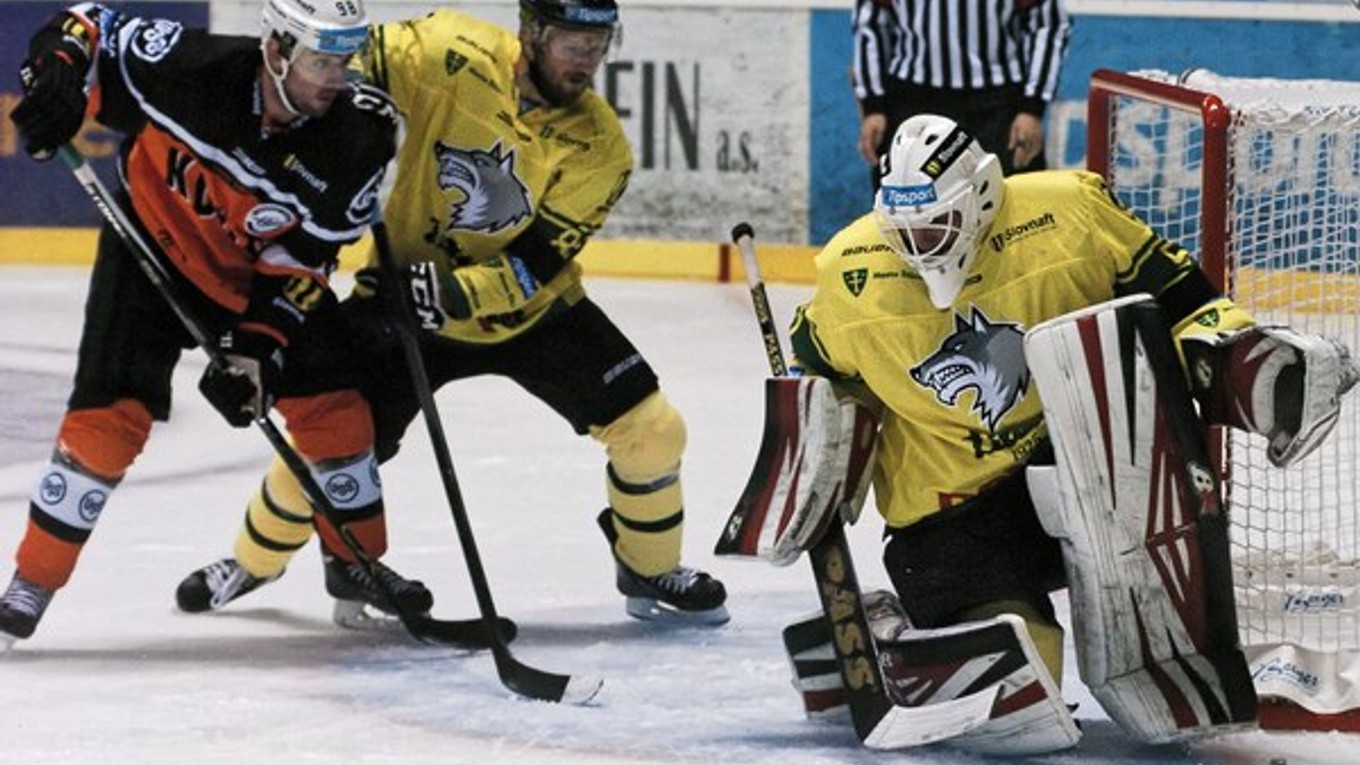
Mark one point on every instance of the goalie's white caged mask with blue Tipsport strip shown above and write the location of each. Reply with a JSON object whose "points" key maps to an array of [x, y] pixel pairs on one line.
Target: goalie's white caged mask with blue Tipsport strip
{"points": [[939, 195]]}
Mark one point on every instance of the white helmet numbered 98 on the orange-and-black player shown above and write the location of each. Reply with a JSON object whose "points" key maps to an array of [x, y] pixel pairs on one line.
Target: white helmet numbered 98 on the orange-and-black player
{"points": [[338, 28]]}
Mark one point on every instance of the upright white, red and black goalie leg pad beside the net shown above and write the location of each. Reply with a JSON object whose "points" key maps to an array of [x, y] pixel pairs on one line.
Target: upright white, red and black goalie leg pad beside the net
{"points": [[1143, 533]]}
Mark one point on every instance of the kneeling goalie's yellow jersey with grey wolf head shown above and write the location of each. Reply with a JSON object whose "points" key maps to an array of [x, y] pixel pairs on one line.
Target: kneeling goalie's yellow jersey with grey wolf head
{"points": [[961, 409]]}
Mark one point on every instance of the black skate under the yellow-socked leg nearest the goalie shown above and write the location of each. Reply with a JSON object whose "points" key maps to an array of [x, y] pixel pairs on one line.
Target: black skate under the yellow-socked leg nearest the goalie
{"points": [[682, 596]]}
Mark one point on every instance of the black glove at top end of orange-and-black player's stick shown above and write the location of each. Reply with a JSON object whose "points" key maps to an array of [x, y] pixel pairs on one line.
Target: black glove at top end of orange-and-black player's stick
{"points": [[54, 99]]}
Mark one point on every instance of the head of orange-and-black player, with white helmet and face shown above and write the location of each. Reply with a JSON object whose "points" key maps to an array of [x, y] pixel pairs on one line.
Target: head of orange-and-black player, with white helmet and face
{"points": [[338, 31]]}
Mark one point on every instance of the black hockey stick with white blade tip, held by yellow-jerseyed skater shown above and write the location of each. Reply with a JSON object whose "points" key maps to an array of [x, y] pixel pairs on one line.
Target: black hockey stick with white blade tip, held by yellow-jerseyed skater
{"points": [[519, 677]]}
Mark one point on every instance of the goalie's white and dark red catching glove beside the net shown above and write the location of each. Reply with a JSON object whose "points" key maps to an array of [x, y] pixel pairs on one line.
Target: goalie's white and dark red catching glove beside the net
{"points": [[1274, 382]]}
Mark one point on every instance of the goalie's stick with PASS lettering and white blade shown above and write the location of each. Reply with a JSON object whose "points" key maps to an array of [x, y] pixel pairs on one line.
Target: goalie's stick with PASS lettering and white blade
{"points": [[878, 721]]}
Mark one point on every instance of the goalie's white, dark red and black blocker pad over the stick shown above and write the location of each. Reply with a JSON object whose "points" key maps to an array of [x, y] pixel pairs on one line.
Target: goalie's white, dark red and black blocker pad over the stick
{"points": [[814, 465]]}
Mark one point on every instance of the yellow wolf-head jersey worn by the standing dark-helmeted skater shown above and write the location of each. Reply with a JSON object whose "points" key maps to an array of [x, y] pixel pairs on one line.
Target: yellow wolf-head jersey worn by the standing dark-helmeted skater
{"points": [[474, 172]]}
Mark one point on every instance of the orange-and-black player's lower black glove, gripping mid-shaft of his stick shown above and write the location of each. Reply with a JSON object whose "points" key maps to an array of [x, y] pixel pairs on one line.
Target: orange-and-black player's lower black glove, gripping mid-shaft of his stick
{"points": [[241, 390]]}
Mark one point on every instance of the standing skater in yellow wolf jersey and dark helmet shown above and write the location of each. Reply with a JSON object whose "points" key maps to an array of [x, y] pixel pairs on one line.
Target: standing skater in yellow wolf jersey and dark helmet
{"points": [[509, 165]]}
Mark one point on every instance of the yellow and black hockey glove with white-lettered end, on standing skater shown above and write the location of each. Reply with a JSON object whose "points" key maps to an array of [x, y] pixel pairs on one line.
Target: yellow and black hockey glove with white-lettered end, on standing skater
{"points": [[503, 285]]}
